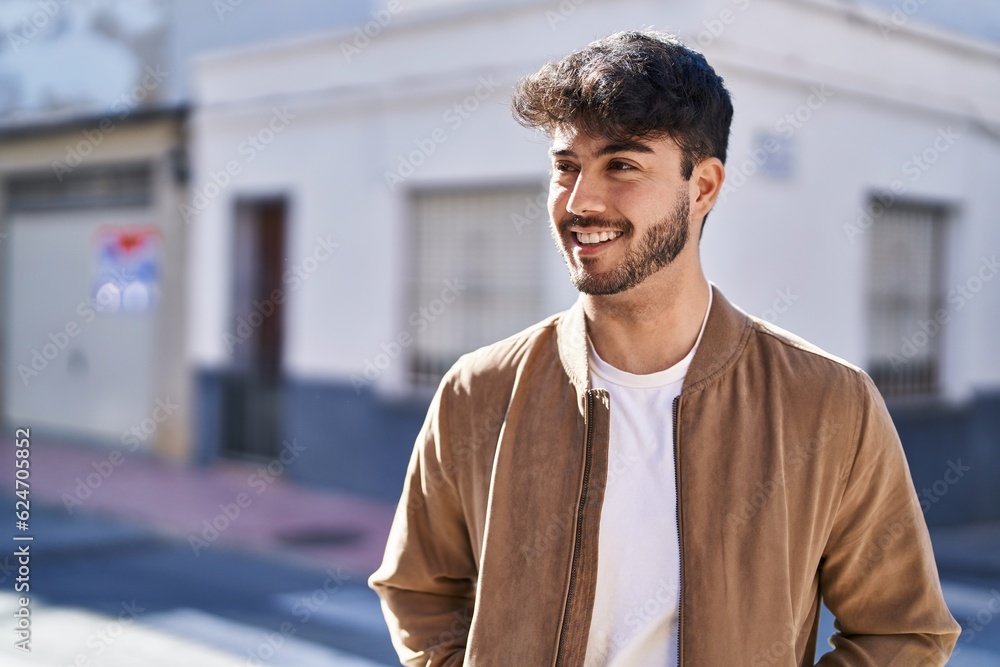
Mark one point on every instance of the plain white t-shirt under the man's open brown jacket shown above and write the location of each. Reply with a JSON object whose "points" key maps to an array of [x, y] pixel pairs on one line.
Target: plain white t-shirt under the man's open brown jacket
{"points": [[638, 571]]}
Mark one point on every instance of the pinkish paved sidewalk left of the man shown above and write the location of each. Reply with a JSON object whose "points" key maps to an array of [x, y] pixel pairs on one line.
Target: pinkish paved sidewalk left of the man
{"points": [[227, 503]]}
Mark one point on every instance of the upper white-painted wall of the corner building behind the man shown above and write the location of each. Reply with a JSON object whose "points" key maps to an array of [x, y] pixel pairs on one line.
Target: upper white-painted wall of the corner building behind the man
{"points": [[353, 119]]}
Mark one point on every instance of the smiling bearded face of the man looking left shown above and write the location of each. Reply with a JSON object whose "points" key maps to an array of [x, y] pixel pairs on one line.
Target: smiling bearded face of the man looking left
{"points": [[619, 211]]}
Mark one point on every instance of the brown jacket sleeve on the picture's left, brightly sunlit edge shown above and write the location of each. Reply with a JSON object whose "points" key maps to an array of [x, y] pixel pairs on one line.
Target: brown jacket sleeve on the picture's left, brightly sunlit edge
{"points": [[427, 580]]}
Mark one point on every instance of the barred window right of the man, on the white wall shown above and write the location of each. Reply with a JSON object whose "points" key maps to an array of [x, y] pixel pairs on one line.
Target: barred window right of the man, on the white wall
{"points": [[905, 300]]}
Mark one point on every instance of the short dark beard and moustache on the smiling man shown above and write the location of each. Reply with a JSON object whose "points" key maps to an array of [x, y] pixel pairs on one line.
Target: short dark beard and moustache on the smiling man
{"points": [[657, 247]]}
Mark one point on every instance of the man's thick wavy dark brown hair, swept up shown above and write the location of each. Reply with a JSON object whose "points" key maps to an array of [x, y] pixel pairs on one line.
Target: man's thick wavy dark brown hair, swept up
{"points": [[632, 85]]}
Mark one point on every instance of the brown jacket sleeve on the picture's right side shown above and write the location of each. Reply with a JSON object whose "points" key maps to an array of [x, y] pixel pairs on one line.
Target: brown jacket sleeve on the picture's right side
{"points": [[878, 575]]}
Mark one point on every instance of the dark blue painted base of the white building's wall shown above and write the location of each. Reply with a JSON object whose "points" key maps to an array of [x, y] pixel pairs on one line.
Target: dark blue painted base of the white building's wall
{"points": [[359, 443]]}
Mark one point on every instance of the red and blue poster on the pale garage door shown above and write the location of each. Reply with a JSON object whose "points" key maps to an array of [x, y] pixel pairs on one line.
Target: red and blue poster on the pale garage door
{"points": [[126, 269]]}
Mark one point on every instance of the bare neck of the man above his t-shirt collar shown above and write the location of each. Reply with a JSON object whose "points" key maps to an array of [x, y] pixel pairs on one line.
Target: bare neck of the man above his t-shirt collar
{"points": [[652, 326]]}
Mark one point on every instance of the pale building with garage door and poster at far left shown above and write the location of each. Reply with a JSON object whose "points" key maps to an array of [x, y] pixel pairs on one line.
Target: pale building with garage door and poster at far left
{"points": [[92, 239]]}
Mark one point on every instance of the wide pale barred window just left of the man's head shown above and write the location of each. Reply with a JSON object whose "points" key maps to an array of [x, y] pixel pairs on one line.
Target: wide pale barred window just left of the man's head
{"points": [[476, 274]]}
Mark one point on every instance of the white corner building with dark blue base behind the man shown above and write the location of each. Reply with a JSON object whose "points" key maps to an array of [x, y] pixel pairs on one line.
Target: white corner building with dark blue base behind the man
{"points": [[403, 207]]}
